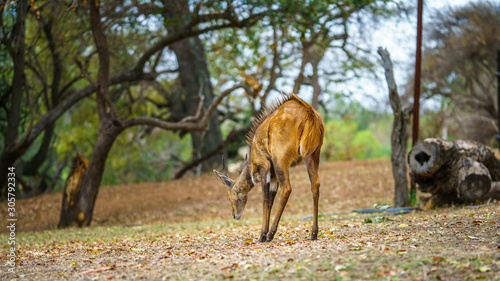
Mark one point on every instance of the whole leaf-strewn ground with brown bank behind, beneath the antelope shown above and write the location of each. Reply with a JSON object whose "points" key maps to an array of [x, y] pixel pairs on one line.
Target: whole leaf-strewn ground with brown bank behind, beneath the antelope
{"points": [[181, 230]]}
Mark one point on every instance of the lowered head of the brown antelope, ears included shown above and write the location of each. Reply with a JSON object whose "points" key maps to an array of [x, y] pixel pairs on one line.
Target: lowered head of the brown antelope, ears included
{"points": [[237, 191]]}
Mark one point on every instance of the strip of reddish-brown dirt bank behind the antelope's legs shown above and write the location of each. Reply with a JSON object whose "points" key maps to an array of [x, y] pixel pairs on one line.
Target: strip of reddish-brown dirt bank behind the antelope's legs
{"points": [[344, 186]]}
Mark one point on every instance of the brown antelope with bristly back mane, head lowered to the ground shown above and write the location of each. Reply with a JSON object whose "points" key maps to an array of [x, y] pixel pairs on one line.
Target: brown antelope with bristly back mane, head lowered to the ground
{"points": [[280, 138]]}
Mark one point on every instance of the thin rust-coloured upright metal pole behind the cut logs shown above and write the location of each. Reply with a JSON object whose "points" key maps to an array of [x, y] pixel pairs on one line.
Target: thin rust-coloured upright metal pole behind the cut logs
{"points": [[418, 66]]}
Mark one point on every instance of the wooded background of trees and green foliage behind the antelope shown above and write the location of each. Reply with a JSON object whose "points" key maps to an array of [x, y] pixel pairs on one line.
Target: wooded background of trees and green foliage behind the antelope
{"points": [[120, 81]]}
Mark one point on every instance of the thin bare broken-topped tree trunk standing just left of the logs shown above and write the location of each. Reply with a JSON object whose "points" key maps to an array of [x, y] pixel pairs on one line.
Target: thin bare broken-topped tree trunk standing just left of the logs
{"points": [[398, 136]]}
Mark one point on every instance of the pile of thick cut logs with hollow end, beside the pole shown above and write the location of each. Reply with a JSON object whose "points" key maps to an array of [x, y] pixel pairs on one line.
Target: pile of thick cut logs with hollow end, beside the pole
{"points": [[459, 171]]}
